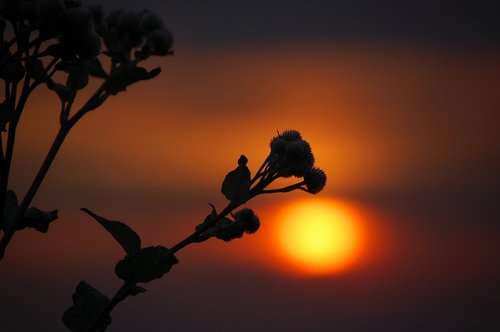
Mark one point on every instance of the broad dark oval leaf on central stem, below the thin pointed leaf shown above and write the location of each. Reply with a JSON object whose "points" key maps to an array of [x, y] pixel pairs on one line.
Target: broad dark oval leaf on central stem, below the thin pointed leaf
{"points": [[148, 264]]}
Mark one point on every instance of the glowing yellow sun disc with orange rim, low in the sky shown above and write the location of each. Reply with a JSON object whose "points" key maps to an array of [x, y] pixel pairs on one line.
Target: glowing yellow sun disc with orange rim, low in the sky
{"points": [[319, 236]]}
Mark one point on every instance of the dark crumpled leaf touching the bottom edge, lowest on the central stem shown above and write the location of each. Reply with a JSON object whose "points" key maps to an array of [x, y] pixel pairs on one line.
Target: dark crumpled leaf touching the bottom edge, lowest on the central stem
{"points": [[88, 303]]}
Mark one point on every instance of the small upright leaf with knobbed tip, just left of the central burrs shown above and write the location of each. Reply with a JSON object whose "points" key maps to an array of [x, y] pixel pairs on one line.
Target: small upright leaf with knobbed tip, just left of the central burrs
{"points": [[236, 185]]}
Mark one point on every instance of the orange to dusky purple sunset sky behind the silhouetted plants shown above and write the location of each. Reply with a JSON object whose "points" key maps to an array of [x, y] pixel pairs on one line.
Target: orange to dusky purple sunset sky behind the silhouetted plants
{"points": [[399, 101]]}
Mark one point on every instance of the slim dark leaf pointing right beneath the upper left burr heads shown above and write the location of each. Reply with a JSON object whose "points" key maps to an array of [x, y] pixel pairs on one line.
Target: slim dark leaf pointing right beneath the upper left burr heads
{"points": [[127, 75]]}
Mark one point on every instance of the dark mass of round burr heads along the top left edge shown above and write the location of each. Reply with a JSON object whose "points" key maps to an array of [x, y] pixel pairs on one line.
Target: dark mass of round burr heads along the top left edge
{"points": [[80, 28]]}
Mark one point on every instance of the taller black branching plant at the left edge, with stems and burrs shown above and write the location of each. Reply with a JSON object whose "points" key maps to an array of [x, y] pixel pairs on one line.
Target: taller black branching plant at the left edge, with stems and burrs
{"points": [[56, 43]]}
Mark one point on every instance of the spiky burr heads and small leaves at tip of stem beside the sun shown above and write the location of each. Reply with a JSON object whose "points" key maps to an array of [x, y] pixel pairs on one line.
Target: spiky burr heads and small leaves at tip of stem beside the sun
{"points": [[290, 156]]}
